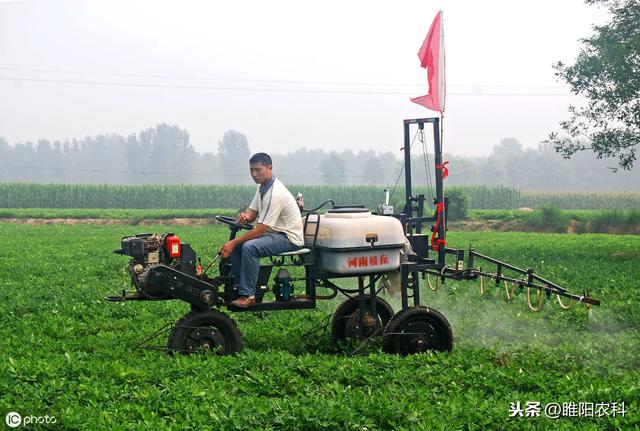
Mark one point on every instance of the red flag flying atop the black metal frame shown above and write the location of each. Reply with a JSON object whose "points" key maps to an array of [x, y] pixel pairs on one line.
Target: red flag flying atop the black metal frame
{"points": [[431, 56]]}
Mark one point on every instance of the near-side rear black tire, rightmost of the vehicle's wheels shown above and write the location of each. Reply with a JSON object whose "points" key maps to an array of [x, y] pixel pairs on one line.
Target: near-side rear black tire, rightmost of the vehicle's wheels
{"points": [[417, 330]]}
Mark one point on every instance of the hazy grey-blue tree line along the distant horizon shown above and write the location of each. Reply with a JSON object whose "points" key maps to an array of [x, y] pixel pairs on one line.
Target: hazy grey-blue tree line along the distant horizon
{"points": [[164, 155]]}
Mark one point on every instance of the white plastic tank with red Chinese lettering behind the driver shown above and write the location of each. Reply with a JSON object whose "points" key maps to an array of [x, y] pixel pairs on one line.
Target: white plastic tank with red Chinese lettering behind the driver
{"points": [[353, 241]]}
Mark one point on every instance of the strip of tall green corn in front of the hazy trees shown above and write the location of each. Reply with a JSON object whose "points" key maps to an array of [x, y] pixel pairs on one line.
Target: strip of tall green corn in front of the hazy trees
{"points": [[31, 195]]}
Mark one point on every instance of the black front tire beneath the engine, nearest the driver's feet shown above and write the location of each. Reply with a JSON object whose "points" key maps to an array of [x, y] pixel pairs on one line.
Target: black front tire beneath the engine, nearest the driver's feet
{"points": [[204, 331]]}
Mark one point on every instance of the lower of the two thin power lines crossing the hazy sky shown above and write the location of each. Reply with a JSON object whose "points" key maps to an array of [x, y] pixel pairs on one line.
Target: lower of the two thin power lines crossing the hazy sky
{"points": [[258, 89]]}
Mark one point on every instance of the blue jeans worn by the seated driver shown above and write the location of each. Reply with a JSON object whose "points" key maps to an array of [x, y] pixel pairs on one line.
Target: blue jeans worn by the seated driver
{"points": [[245, 259]]}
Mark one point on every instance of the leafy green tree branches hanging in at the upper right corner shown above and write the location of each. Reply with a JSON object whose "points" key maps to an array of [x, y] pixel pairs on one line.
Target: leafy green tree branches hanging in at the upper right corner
{"points": [[607, 74]]}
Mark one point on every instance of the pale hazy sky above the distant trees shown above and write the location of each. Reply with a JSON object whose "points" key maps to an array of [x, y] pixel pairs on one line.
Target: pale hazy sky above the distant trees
{"points": [[331, 74]]}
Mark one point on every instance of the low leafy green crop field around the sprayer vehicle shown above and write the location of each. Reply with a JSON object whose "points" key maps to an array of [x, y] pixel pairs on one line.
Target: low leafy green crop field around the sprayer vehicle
{"points": [[68, 353]]}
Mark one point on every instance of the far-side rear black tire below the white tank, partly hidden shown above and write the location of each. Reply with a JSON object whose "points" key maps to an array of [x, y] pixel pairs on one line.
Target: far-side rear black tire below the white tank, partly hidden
{"points": [[347, 316]]}
